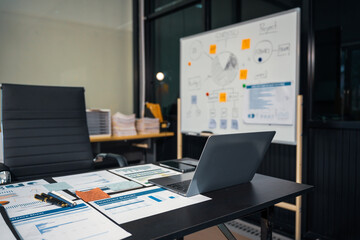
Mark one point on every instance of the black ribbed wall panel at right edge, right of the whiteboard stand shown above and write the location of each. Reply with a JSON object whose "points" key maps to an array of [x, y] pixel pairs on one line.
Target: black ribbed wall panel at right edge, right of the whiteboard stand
{"points": [[334, 170]]}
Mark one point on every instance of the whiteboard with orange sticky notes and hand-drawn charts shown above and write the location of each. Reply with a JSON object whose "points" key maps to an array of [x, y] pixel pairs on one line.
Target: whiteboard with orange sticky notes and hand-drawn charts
{"points": [[242, 78]]}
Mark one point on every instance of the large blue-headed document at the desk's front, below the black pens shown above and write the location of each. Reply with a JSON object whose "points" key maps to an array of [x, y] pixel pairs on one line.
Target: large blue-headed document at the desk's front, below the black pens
{"points": [[79, 222]]}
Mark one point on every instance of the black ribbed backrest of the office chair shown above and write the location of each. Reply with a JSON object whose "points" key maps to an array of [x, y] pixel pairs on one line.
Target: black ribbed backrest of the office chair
{"points": [[44, 131]]}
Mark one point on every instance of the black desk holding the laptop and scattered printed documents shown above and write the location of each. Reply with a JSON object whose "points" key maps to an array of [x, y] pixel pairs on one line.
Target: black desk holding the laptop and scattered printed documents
{"points": [[227, 204]]}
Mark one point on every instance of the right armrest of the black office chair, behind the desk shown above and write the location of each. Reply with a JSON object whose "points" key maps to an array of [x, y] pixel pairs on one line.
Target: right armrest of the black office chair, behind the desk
{"points": [[103, 160]]}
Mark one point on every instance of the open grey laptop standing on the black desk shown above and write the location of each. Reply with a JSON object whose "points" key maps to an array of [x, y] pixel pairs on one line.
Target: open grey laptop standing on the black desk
{"points": [[226, 160]]}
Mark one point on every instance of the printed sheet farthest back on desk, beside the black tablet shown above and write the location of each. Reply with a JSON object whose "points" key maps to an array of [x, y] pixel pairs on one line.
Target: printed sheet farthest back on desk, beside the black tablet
{"points": [[143, 173]]}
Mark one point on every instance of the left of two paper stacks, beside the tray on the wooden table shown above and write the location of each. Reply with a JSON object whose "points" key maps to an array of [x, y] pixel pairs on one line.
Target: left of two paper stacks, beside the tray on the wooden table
{"points": [[123, 125]]}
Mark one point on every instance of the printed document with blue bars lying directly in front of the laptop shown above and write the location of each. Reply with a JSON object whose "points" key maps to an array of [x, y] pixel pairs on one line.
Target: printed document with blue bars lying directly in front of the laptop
{"points": [[141, 203]]}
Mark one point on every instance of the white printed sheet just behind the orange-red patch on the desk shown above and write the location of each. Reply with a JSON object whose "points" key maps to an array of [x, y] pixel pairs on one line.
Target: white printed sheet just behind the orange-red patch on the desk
{"points": [[87, 181]]}
